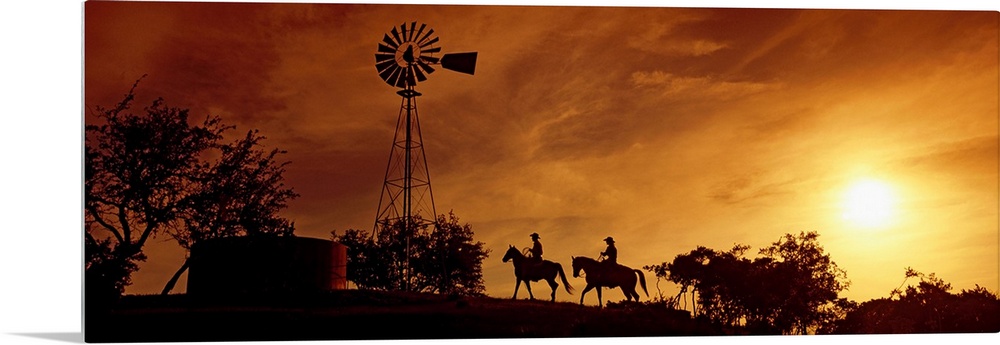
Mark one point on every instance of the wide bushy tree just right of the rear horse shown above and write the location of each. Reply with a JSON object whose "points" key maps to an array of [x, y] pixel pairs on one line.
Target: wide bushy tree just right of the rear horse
{"points": [[792, 288]]}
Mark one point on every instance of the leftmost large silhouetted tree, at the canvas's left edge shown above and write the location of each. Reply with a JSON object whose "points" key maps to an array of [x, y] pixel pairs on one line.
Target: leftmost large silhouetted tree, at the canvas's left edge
{"points": [[137, 175]]}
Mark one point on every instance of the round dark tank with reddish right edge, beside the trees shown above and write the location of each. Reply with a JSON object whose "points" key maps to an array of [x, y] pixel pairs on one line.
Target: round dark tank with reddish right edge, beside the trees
{"points": [[240, 265]]}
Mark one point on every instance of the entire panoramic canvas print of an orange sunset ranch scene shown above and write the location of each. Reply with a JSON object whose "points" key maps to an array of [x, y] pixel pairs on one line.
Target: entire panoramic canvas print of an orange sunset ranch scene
{"points": [[297, 171]]}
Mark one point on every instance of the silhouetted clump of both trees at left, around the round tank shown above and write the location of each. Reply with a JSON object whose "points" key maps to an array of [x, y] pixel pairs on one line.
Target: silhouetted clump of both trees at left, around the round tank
{"points": [[146, 174]]}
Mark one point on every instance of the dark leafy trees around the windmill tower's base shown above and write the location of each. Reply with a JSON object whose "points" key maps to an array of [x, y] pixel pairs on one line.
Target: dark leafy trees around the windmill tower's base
{"points": [[443, 259]]}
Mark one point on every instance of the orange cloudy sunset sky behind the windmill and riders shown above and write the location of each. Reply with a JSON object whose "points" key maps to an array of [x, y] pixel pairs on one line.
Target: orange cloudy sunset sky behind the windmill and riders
{"points": [[666, 128]]}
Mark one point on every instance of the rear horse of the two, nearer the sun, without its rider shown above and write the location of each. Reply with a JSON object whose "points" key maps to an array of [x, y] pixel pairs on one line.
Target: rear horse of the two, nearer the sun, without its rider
{"points": [[600, 274]]}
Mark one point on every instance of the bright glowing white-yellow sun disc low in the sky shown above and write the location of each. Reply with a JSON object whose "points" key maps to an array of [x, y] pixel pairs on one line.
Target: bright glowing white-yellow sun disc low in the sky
{"points": [[869, 204]]}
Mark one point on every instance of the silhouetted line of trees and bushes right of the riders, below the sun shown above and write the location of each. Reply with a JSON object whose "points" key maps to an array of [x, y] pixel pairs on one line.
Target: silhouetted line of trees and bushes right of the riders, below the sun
{"points": [[793, 288]]}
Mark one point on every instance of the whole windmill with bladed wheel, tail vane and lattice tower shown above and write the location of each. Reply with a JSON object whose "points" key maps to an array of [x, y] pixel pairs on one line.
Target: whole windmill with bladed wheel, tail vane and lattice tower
{"points": [[406, 56]]}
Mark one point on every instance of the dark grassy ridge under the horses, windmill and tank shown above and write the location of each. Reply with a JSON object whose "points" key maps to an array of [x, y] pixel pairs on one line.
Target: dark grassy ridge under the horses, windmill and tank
{"points": [[370, 315]]}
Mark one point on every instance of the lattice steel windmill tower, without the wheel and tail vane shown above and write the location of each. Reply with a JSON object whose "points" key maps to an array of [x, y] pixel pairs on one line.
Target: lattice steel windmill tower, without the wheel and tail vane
{"points": [[407, 201]]}
